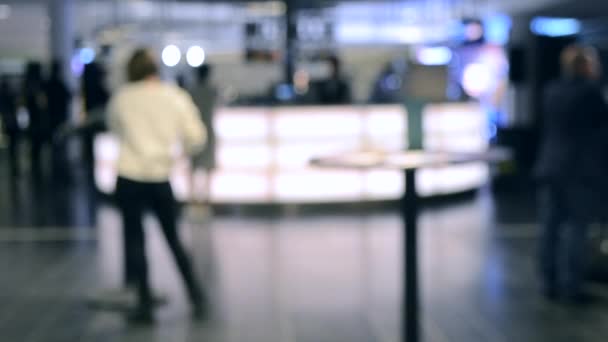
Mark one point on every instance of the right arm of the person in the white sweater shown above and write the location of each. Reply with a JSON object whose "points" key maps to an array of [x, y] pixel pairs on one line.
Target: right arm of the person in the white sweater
{"points": [[193, 131]]}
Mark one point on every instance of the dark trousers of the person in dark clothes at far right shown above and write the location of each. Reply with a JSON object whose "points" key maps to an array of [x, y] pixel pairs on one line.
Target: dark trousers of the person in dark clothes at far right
{"points": [[562, 242]]}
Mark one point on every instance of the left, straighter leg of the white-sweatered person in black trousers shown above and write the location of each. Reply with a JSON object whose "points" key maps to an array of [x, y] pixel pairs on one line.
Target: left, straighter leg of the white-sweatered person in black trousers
{"points": [[130, 197]]}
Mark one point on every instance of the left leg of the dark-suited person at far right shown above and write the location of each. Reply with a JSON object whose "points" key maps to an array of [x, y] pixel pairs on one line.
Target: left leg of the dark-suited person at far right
{"points": [[551, 219]]}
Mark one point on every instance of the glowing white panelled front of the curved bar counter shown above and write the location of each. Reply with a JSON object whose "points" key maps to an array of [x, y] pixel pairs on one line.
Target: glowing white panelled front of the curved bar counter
{"points": [[263, 153]]}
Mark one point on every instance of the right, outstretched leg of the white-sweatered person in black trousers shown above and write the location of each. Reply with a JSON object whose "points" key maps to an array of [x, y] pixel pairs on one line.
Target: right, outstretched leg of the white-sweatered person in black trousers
{"points": [[165, 208]]}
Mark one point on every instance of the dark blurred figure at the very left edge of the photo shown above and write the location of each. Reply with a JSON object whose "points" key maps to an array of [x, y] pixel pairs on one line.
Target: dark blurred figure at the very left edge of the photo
{"points": [[8, 110]]}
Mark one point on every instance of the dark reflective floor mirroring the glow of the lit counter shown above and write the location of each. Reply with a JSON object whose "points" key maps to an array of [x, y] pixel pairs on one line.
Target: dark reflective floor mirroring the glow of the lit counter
{"points": [[284, 278]]}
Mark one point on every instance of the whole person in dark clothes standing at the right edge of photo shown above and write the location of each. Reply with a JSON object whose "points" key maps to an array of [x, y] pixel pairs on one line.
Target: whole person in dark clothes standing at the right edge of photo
{"points": [[571, 169]]}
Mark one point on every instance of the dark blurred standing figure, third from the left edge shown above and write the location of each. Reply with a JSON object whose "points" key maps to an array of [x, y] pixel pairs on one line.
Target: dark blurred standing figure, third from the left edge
{"points": [[58, 97]]}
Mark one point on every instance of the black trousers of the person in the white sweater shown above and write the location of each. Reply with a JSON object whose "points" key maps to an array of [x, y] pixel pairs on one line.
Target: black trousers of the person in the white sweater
{"points": [[133, 199]]}
